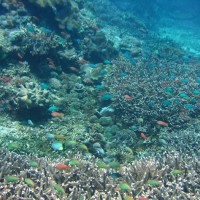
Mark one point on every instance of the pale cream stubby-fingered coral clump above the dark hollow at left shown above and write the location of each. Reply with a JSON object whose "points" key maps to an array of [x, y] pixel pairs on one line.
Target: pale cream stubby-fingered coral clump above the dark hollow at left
{"points": [[31, 95]]}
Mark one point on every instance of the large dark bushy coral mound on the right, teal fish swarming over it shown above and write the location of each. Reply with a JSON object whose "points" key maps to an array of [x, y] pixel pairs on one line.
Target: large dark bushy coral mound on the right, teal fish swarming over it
{"points": [[158, 90]]}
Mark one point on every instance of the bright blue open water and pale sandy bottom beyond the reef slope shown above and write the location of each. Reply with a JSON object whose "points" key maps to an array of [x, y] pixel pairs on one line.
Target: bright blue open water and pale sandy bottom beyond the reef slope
{"points": [[178, 20]]}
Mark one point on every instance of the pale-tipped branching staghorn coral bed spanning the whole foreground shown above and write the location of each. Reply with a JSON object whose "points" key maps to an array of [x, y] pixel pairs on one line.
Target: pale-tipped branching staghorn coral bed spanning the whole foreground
{"points": [[171, 176]]}
